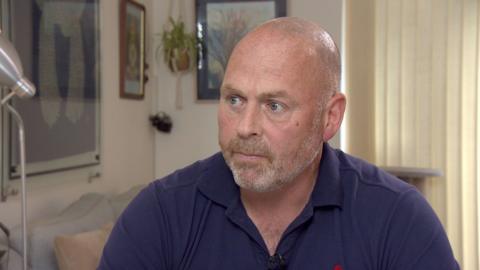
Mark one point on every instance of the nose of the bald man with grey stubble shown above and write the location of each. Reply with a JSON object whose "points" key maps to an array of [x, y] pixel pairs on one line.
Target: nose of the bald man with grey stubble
{"points": [[250, 122]]}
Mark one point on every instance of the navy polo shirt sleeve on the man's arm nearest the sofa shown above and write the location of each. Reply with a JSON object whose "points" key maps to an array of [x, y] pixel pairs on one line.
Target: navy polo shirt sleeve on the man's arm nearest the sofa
{"points": [[139, 239]]}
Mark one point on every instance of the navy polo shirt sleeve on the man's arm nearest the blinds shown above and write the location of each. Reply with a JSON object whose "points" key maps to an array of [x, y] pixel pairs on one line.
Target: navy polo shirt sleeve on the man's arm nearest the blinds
{"points": [[414, 237]]}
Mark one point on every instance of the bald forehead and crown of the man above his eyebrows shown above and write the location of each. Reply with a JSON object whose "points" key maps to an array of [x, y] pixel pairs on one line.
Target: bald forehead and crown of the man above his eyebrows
{"points": [[281, 60]]}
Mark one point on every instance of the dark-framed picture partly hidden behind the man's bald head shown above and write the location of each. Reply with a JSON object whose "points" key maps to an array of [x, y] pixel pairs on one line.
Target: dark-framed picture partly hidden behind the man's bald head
{"points": [[220, 25]]}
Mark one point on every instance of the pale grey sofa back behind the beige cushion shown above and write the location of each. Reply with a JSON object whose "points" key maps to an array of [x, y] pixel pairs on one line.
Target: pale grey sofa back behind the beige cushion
{"points": [[89, 212]]}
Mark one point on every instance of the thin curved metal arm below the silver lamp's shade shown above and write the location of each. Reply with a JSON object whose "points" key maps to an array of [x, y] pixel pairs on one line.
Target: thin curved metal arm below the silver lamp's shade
{"points": [[21, 140]]}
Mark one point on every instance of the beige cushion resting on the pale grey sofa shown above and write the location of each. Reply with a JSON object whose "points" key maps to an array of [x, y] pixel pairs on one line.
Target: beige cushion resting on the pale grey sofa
{"points": [[81, 251]]}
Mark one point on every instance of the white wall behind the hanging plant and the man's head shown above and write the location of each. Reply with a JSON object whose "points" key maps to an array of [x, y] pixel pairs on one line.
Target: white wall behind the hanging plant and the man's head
{"points": [[194, 133]]}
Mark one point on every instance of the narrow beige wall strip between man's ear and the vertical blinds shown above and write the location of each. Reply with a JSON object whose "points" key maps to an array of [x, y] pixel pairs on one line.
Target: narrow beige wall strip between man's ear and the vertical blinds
{"points": [[359, 77]]}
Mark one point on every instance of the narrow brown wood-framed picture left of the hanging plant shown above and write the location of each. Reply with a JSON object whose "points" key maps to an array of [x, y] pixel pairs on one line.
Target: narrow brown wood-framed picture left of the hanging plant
{"points": [[132, 49]]}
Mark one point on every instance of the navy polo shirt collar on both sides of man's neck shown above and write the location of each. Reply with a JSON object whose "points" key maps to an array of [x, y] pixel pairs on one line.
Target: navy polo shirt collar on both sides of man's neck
{"points": [[216, 182]]}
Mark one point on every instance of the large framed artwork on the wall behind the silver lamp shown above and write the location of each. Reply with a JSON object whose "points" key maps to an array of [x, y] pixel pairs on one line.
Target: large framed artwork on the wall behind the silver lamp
{"points": [[58, 45]]}
